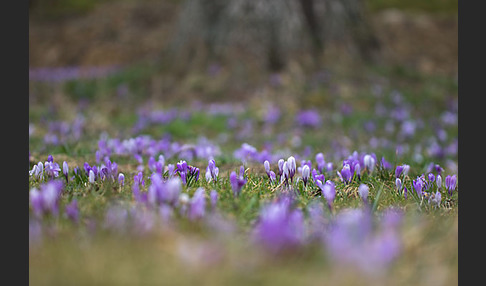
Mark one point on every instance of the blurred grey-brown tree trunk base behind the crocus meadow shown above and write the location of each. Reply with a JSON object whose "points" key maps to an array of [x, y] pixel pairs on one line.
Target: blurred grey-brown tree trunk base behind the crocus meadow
{"points": [[272, 31]]}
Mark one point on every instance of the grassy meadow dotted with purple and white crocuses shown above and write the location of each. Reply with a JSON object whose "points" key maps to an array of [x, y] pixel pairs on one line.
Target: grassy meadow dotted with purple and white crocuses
{"points": [[361, 189]]}
